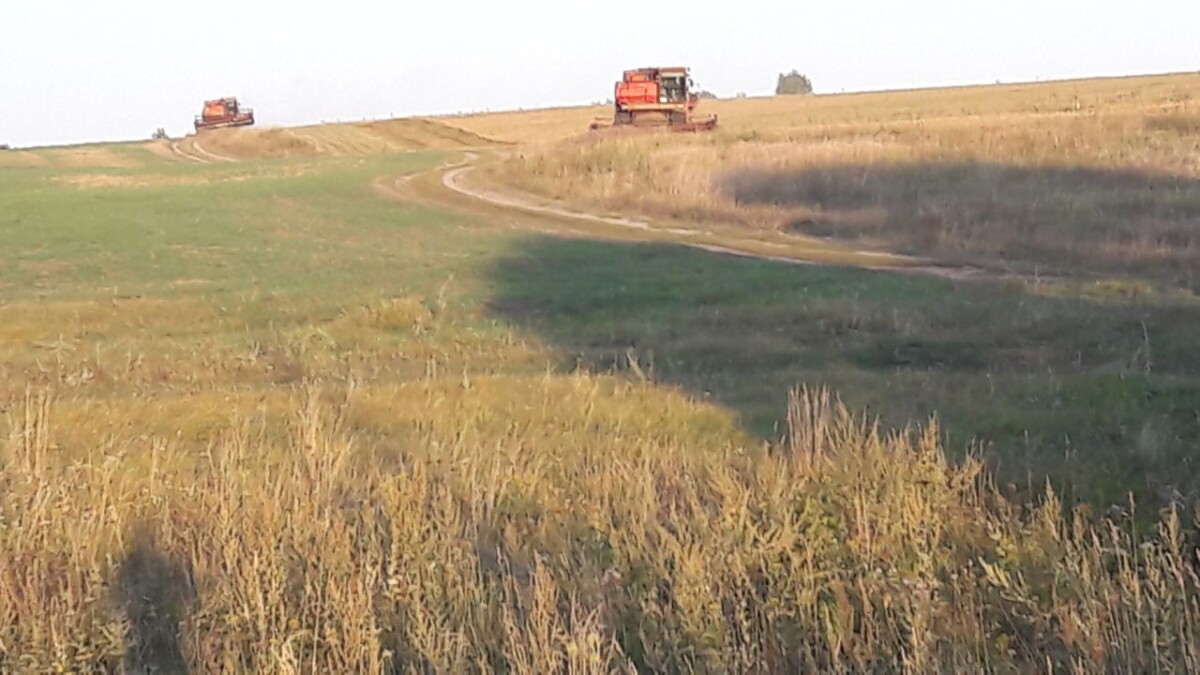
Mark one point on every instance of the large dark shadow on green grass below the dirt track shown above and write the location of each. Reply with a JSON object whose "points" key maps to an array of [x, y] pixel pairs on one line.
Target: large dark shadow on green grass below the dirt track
{"points": [[1106, 392]]}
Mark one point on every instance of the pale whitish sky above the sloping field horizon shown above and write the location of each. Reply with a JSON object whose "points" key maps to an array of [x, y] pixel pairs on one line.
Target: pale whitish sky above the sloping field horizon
{"points": [[75, 71]]}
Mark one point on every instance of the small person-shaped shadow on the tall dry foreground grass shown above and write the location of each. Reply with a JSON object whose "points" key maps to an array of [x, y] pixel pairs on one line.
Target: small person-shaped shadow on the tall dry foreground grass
{"points": [[154, 593]]}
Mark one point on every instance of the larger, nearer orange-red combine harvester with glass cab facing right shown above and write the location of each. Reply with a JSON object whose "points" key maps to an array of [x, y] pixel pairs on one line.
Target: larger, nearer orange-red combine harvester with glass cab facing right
{"points": [[657, 98]]}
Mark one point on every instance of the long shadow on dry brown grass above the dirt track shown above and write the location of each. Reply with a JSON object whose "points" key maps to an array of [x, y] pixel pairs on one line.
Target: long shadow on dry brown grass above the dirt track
{"points": [[1083, 219]]}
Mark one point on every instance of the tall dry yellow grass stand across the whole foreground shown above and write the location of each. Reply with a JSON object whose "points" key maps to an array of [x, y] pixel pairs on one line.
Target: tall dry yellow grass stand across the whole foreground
{"points": [[568, 539]]}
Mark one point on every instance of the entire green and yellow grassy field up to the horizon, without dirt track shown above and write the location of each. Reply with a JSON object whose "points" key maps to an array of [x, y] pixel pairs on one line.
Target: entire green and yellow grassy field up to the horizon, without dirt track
{"points": [[268, 411]]}
